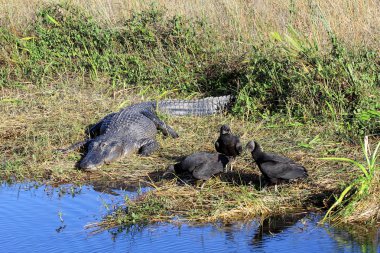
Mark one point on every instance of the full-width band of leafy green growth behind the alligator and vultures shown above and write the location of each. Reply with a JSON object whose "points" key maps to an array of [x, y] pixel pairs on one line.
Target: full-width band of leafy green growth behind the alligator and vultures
{"points": [[289, 74]]}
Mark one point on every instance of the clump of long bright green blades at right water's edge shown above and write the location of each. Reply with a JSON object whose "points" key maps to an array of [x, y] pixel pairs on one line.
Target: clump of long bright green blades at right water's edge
{"points": [[355, 202]]}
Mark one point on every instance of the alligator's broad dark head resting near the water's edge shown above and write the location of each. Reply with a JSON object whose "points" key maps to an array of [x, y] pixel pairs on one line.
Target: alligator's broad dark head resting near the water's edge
{"points": [[101, 151]]}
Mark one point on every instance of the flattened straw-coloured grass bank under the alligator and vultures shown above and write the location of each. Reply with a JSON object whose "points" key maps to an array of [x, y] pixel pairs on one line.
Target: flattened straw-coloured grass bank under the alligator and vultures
{"points": [[59, 117]]}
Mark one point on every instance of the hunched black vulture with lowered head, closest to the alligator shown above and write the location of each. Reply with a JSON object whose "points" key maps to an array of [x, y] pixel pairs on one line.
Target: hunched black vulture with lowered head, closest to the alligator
{"points": [[202, 165]]}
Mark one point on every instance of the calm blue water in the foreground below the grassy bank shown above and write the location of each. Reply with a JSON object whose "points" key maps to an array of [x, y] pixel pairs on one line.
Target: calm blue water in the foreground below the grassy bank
{"points": [[47, 219]]}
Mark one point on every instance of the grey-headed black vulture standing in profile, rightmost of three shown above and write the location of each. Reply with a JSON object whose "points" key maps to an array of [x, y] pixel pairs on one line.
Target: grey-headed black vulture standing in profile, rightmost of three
{"points": [[275, 168]]}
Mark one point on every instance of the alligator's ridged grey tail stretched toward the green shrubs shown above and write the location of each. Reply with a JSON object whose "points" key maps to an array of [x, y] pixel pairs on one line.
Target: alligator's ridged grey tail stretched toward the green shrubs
{"points": [[199, 107]]}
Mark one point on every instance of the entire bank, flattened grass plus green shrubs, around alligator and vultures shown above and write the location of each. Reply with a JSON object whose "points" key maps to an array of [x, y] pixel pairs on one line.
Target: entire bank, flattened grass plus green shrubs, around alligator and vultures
{"points": [[298, 95]]}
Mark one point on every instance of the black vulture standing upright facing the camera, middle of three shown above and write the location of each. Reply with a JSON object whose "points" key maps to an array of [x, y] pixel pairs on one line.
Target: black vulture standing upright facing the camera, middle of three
{"points": [[227, 143]]}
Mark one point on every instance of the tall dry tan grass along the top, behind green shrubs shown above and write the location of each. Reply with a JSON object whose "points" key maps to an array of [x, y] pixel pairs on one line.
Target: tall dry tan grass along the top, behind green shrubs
{"points": [[354, 22]]}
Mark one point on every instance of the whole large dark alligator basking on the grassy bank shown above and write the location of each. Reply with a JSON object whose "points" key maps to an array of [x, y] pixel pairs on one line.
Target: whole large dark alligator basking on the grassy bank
{"points": [[134, 128]]}
